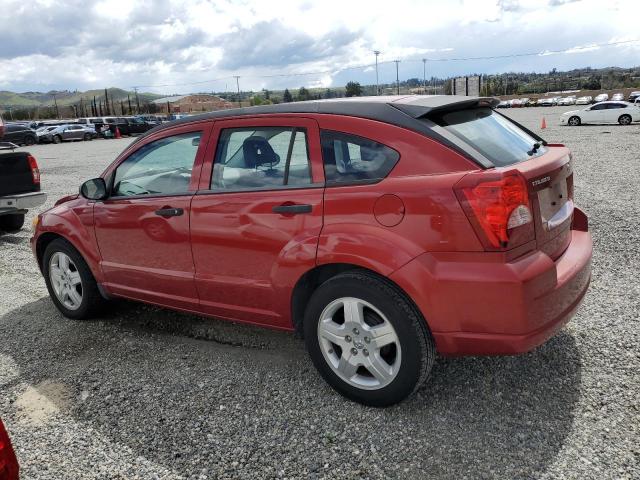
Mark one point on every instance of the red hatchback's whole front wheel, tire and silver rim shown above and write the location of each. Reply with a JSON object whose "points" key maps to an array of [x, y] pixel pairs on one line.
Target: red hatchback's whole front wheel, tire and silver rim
{"points": [[69, 280]]}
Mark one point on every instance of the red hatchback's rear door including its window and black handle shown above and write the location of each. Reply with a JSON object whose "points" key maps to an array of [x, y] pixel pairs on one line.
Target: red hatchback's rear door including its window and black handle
{"points": [[256, 220]]}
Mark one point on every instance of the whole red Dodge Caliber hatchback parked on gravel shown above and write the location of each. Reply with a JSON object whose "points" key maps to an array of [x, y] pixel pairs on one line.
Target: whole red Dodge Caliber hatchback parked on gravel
{"points": [[383, 229]]}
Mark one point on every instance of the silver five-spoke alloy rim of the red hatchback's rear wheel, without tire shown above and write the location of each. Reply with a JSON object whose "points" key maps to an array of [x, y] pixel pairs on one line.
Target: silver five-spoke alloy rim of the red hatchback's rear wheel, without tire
{"points": [[359, 343]]}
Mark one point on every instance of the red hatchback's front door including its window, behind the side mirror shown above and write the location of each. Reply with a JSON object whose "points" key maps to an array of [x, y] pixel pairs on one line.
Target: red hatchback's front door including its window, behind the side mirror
{"points": [[142, 229]]}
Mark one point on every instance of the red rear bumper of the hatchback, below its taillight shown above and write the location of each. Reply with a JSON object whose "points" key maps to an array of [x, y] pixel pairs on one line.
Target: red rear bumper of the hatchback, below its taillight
{"points": [[479, 307]]}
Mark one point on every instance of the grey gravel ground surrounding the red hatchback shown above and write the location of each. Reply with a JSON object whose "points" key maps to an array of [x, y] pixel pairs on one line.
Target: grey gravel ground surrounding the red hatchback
{"points": [[148, 393]]}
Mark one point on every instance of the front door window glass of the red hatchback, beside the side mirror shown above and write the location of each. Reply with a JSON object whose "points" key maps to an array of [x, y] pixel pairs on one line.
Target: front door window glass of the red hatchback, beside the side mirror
{"points": [[162, 167]]}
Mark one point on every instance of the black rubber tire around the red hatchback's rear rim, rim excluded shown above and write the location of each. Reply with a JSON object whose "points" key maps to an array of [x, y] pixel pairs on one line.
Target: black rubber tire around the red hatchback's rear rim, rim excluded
{"points": [[416, 343]]}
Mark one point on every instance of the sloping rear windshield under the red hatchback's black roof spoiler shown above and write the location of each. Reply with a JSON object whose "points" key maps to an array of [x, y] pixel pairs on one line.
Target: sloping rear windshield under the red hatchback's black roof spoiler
{"points": [[491, 134]]}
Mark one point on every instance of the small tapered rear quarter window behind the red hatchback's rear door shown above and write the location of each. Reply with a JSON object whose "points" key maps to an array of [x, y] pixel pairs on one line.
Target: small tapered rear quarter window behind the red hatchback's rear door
{"points": [[352, 159]]}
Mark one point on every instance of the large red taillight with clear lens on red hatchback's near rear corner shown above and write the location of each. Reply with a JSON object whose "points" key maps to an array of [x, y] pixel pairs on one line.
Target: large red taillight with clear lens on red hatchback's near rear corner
{"points": [[497, 207]]}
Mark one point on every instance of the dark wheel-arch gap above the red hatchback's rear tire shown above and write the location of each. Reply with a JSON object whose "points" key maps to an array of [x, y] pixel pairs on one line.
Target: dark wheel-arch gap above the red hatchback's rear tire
{"points": [[312, 279]]}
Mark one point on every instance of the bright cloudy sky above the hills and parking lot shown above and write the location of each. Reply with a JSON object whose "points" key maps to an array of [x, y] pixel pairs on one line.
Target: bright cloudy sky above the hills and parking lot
{"points": [[82, 44]]}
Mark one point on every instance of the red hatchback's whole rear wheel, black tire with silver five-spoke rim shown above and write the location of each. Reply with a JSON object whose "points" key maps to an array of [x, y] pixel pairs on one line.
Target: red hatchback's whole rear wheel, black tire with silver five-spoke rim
{"points": [[367, 340]]}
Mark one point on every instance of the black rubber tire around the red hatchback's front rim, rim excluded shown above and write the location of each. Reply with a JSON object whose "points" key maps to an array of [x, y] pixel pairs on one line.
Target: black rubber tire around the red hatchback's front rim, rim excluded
{"points": [[92, 301]]}
